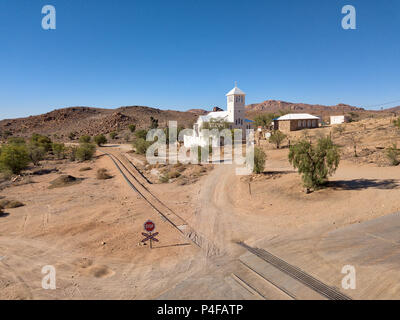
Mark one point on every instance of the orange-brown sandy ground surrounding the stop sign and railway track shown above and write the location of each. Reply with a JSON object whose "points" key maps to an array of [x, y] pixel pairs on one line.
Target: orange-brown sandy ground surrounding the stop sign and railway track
{"points": [[91, 231]]}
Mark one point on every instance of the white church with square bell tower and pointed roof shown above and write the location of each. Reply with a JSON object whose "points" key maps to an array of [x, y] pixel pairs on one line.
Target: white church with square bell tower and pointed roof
{"points": [[234, 117]]}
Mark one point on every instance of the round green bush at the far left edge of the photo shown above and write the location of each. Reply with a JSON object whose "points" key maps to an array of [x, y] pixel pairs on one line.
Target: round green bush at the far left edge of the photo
{"points": [[14, 158]]}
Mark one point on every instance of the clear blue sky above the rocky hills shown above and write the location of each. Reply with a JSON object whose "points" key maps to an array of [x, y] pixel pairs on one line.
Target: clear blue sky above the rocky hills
{"points": [[187, 54]]}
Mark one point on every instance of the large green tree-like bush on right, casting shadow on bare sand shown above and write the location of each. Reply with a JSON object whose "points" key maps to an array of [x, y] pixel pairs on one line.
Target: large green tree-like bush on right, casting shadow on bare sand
{"points": [[315, 162]]}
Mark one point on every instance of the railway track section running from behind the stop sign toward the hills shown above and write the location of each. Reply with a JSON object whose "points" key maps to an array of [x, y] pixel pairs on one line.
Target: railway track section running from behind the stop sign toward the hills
{"points": [[137, 181]]}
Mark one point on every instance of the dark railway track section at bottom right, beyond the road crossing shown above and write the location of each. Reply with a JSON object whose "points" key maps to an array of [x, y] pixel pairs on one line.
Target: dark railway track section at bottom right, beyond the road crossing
{"points": [[297, 274]]}
